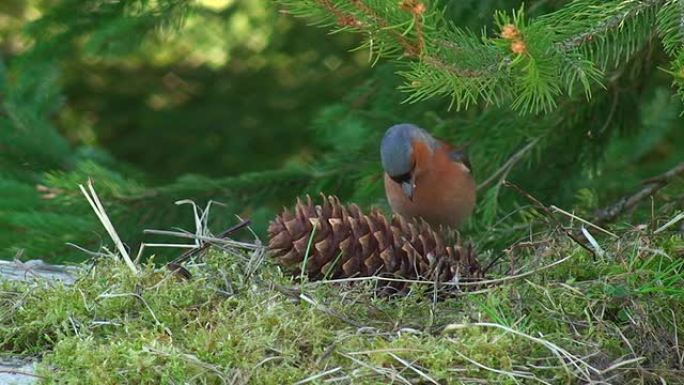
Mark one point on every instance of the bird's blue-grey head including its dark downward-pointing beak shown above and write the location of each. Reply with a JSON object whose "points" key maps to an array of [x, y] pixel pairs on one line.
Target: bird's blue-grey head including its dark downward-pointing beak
{"points": [[397, 154]]}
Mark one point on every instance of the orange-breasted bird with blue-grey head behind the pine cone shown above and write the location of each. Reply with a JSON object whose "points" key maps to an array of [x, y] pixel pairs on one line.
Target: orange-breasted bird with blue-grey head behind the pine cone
{"points": [[425, 177]]}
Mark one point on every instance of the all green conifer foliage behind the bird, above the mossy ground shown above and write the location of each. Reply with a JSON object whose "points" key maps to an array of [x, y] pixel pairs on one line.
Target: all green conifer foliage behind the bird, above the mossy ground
{"points": [[239, 102]]}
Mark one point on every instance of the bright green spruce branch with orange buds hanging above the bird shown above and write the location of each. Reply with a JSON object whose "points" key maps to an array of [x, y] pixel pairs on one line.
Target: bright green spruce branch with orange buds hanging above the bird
{"points": [[530, 69]]}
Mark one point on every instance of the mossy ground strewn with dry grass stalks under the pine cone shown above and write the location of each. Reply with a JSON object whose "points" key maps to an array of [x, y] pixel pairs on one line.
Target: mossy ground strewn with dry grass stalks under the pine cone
{"points": [[561, 315]]}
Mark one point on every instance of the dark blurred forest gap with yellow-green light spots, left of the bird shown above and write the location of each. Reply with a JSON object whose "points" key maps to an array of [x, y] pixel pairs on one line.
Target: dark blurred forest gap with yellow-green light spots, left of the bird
{"points": [[216, 95]]}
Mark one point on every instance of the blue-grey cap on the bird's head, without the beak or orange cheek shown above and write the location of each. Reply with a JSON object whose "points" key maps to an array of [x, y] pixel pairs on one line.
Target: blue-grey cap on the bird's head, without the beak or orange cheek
{"points": [[396, 148]]}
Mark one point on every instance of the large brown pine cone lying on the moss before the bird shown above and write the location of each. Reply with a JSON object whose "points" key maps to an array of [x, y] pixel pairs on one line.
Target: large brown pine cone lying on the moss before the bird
{"points": [[347, 243]]}
